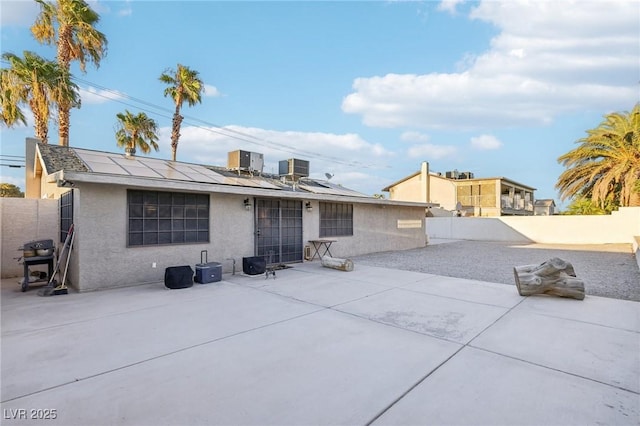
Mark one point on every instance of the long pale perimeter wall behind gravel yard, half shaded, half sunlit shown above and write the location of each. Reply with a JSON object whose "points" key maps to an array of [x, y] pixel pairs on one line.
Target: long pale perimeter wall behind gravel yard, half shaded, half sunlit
{"points": [[620, 227]]}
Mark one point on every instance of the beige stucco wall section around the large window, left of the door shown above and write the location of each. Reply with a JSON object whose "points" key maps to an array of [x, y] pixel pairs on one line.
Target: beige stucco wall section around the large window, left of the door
{"points": [[106, 261]]}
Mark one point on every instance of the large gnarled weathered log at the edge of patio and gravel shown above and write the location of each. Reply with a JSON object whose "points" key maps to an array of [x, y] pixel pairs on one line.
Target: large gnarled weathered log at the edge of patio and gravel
{"points": [[555, 277]]}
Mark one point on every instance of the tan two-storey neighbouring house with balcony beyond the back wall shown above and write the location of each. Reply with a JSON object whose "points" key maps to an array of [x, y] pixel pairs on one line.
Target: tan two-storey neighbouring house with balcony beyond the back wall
{"points": [[462, 193]]}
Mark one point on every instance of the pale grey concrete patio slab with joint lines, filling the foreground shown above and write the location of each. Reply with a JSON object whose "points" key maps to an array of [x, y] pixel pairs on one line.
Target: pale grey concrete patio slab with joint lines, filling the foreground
{"points": [[317, 346]]}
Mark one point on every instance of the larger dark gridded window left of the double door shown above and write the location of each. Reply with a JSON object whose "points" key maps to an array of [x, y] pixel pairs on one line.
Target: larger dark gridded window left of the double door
{"points": [[158, 218]]}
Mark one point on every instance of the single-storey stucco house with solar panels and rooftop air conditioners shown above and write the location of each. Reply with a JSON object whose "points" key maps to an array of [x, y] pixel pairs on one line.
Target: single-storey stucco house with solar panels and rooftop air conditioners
{"points": [[136, 216]]}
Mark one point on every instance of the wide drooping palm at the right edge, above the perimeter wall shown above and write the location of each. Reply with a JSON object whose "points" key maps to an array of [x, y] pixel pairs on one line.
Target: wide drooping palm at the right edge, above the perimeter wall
{"points": [[607, 162]]}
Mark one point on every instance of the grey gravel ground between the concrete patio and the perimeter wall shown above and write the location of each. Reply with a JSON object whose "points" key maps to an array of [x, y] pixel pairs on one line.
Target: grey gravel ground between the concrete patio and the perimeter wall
{"points": [[607, 270]]}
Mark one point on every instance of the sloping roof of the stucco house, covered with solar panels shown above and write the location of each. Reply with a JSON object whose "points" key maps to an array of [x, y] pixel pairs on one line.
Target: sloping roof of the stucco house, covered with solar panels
{"points": [[84, 165]]}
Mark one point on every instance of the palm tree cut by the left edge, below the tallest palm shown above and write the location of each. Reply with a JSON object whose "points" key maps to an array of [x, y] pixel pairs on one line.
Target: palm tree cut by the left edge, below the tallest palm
{"points": [[38, 82]]}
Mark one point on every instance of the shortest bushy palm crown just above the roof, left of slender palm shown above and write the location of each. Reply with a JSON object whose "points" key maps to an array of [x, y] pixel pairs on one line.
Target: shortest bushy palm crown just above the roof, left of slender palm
{"points": [[136, 131]]}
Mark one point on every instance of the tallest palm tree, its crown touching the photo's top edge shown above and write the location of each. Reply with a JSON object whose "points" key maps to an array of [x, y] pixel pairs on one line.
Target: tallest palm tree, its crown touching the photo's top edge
{"points": [[69, 24]]}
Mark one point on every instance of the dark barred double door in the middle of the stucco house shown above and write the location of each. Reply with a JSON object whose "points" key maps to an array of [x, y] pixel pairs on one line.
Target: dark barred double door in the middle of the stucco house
{"points": [[278, 230]]}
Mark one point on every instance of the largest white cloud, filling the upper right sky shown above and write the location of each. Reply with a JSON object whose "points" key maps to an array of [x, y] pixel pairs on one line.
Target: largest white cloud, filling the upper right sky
{"points": [[549, 58]]}
